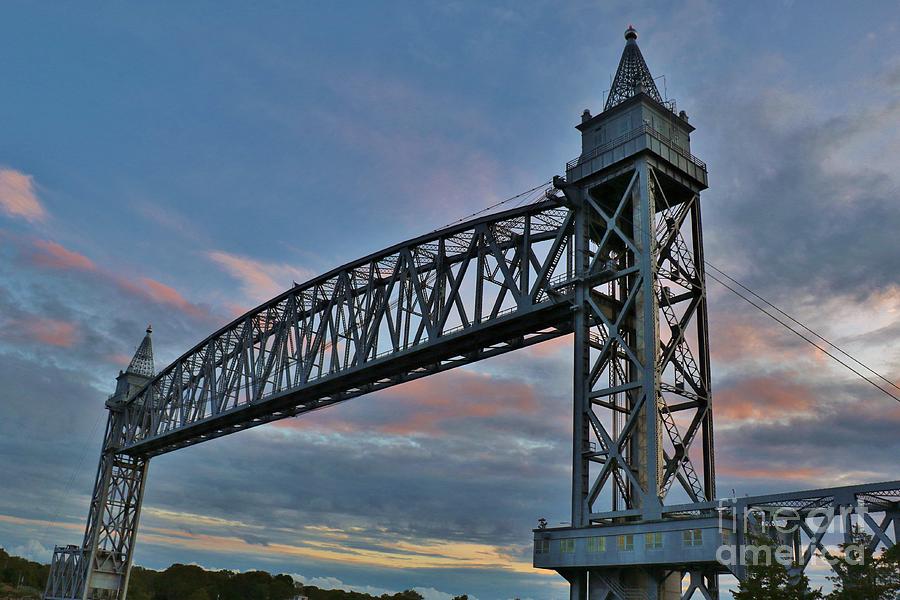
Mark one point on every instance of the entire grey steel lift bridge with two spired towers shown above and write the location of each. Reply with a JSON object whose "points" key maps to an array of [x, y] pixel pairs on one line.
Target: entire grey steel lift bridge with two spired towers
{"points": [[611, 254]]}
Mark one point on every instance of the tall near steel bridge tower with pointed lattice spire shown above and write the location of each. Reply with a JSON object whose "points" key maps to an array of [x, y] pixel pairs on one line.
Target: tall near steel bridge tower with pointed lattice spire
{"points": [[643, 428]]}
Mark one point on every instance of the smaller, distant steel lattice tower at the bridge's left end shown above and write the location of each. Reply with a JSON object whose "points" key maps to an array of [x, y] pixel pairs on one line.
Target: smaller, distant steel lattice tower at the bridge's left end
{"points": [[100, 567]]}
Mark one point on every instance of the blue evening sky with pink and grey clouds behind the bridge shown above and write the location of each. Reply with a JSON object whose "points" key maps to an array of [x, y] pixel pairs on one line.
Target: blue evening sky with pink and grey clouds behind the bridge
{"points": [[179, 163]]}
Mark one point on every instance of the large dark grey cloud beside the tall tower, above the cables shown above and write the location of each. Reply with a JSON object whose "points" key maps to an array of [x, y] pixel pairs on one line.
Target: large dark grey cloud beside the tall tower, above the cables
{"points": [[811, 196]]}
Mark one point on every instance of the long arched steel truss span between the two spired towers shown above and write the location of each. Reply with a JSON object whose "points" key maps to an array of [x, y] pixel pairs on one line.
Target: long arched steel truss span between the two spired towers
{"points": [[443, 300]]}
